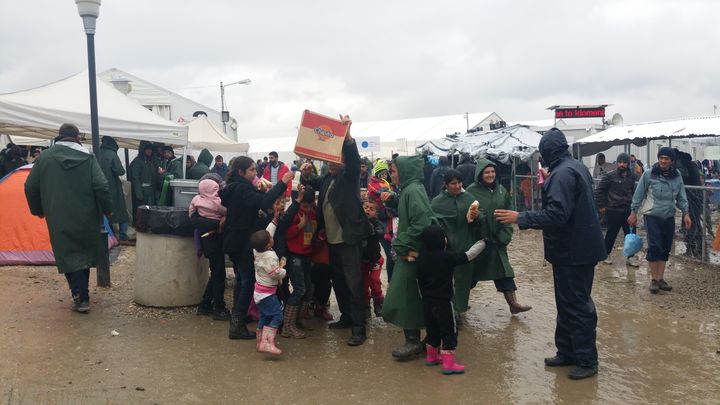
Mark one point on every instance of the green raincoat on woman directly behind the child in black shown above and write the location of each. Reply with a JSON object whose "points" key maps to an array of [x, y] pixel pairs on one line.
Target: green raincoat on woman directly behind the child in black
{"points": [[451, 213]]}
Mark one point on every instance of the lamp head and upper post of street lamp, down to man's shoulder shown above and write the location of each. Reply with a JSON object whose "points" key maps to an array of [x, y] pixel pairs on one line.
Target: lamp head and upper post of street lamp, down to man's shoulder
{"points": [[89, 10]]}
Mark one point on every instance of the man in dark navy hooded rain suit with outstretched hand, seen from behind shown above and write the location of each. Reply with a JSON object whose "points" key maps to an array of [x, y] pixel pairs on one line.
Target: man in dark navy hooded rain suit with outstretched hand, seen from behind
{"points": [[573, 245]]}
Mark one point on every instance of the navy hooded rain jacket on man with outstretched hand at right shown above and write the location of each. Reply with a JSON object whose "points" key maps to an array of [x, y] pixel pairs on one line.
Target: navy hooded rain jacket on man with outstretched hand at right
{"points": [[568, 218]]}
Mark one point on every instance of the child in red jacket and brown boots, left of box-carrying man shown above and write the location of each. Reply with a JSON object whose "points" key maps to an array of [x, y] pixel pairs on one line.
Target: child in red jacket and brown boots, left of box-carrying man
{"points": [[299, 239]]}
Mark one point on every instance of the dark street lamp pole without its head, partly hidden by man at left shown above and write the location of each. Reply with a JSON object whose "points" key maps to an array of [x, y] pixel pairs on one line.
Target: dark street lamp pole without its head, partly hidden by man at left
{"points": [[103, 266]]}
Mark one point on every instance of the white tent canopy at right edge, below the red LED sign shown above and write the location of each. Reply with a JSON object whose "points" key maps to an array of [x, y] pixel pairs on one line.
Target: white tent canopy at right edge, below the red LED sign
{"points": [[639, 134]]}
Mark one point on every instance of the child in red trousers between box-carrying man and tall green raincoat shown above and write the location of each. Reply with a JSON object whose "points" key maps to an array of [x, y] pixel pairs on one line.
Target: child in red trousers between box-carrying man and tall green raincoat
{"points": [[371, 260]]}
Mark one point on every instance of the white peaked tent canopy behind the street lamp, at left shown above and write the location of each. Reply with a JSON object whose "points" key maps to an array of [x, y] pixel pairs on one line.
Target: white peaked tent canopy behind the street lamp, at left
{"points": [[39, 112]]}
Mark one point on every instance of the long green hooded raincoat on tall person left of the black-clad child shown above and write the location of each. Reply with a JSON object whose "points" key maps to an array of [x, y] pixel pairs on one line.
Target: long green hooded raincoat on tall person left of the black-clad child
{"points": [[403, 305]]}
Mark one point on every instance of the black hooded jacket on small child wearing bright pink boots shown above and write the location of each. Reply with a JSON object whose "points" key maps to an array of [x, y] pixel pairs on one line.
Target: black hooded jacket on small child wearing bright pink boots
{"points": [[436, 265]]}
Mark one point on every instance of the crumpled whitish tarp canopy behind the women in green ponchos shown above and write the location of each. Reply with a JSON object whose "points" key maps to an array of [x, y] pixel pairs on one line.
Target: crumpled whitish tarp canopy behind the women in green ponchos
{"points": [[516, 141]]}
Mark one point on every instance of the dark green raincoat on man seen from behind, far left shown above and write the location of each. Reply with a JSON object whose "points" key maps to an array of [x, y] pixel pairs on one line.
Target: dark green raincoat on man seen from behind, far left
{"points": [[68, 188]]}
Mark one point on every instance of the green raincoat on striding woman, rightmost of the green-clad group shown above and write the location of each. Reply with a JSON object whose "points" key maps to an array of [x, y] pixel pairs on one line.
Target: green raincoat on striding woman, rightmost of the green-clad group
{"points": [[493, 262]]}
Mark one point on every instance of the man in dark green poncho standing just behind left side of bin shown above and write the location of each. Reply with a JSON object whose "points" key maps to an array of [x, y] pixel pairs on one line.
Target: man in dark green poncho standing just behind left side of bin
{"points": [[143, 178]]}
